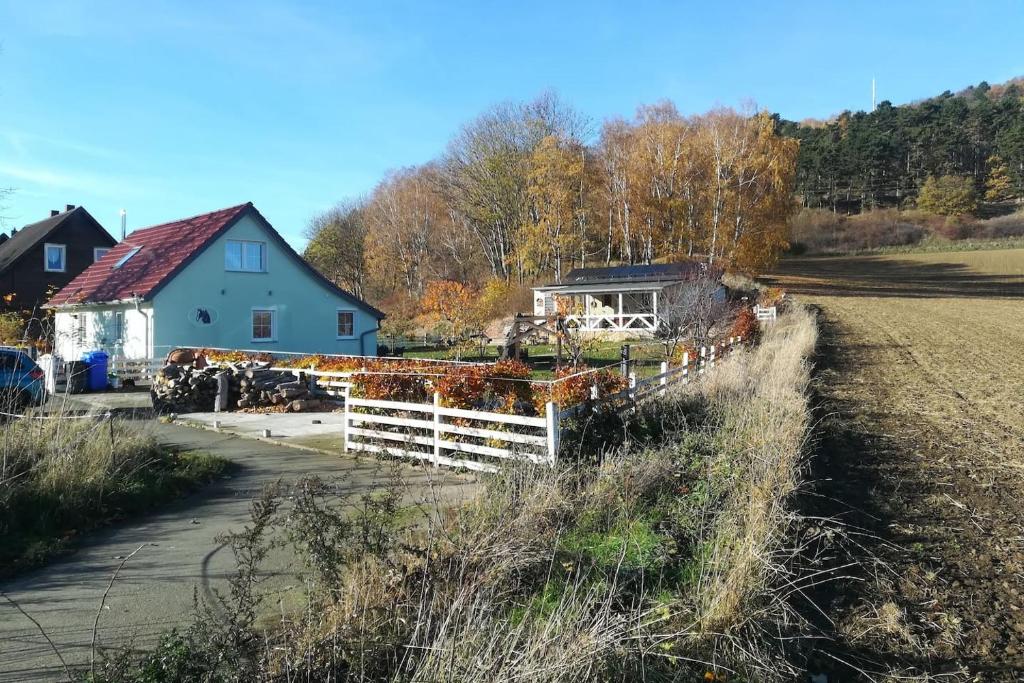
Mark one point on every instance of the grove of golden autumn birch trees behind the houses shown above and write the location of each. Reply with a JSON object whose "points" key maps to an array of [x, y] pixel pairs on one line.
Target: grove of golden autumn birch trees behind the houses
{"points": [[529, 192]]}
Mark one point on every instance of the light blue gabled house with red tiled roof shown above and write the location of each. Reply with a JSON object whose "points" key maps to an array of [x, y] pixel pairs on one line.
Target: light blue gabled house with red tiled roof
{"points": [[222, 280]]}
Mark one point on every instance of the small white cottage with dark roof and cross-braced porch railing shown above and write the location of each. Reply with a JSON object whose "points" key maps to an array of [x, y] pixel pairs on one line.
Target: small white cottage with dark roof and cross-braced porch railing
{"points": [[620, 301]]}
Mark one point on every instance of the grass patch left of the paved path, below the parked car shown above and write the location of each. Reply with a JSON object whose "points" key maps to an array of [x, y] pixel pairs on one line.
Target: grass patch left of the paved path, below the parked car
{"points": [[60, 479]]}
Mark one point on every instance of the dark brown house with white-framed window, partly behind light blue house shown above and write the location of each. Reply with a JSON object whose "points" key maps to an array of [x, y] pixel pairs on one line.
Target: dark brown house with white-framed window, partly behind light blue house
{"points": [[41, 259]]}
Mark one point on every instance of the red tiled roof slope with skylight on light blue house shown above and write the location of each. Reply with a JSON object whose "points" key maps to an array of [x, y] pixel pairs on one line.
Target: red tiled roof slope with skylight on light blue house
{"points": [[164, 250]]}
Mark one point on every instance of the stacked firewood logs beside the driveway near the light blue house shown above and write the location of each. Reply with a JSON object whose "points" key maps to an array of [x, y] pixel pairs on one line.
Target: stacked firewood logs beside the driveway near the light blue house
{"points": [[186, 389]]}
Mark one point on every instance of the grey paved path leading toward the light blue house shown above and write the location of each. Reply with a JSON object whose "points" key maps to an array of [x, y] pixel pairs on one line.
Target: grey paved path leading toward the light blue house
{"points": [[155, 589]]}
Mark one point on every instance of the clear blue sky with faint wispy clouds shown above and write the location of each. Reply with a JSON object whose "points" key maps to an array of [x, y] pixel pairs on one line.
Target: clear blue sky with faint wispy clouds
{"points": [[174, 109]]}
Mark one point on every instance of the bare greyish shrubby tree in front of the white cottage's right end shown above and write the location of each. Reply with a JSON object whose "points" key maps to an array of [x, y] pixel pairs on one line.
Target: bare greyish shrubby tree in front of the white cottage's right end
{"points": [[690, 312]]}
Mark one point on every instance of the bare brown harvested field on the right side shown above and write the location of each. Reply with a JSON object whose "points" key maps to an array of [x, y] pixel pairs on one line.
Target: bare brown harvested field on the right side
{"points": [[922, 454]]}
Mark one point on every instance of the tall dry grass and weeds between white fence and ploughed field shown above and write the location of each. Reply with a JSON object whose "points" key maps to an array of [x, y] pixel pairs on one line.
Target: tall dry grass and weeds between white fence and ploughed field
{"points": [[667, 559]]}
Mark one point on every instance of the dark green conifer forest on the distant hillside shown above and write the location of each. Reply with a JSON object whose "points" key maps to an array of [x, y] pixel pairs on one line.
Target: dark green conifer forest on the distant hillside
{"points": [[883, 158]]}
